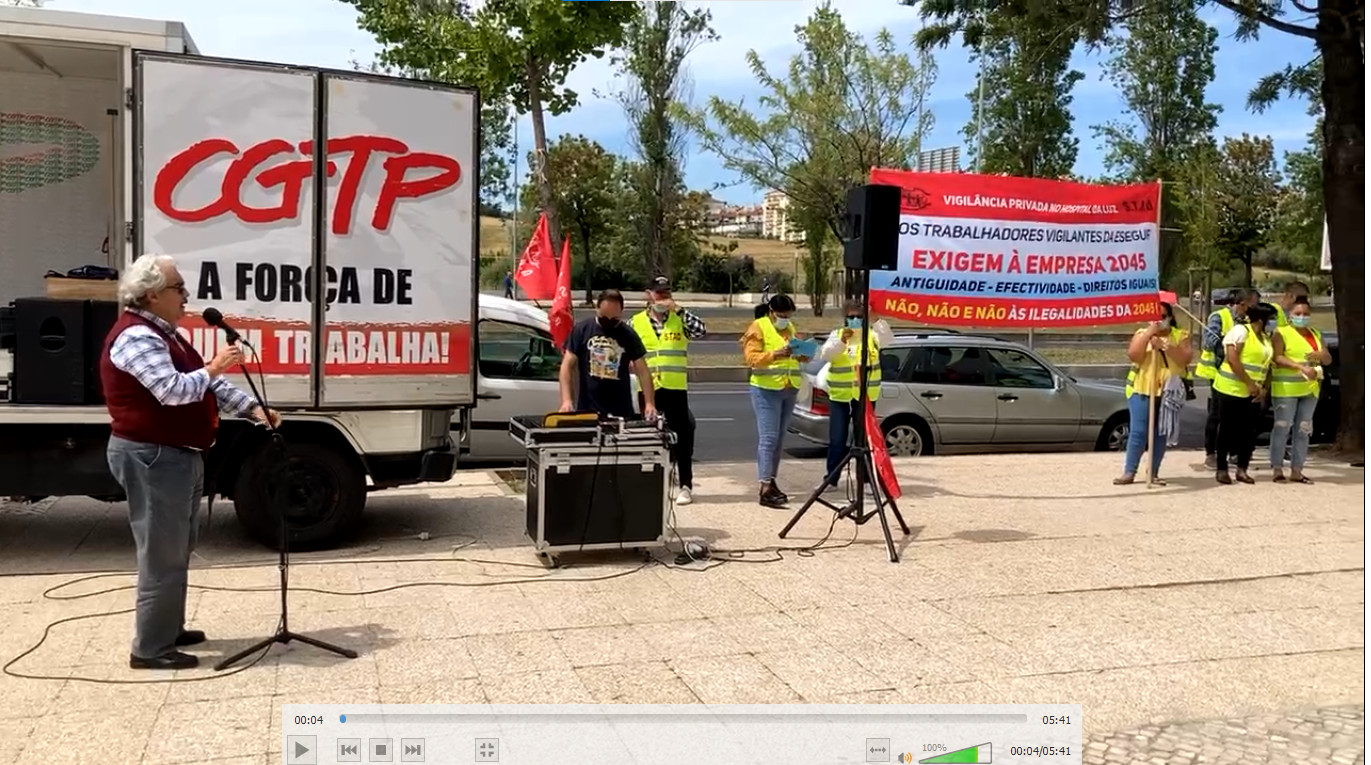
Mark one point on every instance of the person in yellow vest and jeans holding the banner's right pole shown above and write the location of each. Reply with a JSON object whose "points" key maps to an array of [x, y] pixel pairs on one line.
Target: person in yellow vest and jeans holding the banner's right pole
{"points": [[1159, 353]]}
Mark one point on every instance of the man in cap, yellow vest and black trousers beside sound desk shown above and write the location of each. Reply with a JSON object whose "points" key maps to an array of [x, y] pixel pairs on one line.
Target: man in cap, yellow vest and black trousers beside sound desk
{"points": [[667, 331]]}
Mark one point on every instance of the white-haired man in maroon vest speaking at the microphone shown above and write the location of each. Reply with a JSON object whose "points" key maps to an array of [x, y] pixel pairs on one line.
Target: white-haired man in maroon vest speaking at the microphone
{"points": [[164, 406]]}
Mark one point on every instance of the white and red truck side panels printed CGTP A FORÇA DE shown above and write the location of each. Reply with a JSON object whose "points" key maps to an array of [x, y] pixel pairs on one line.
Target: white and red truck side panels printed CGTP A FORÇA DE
{"points": [[228, 190]]}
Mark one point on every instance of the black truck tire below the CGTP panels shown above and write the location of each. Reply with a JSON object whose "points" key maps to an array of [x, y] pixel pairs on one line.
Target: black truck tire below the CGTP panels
{"points": [[323, 496]]}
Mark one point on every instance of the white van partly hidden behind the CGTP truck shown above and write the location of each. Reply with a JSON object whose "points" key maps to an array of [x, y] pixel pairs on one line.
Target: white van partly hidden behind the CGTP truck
{"points": [[518, 368]]}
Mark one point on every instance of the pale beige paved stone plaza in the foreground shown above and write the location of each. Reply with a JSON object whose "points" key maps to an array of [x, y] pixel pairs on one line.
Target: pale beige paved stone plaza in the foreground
{"points": [[1195, 623]]}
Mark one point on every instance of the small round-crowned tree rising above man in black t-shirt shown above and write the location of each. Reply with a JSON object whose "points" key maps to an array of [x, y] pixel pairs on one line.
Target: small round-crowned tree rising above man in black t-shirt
{"points": [[585, 198]]}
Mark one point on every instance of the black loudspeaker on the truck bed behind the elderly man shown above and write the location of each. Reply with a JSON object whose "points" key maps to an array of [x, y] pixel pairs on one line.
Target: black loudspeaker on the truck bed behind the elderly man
{"points": [[57, 354]]}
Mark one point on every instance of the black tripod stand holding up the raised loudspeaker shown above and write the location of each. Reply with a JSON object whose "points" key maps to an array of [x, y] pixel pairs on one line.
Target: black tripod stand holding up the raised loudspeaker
{"points": [[860, 456]]}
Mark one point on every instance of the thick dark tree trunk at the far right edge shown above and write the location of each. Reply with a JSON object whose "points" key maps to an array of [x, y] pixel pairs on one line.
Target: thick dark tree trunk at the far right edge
{"points": [[1344, 199]]}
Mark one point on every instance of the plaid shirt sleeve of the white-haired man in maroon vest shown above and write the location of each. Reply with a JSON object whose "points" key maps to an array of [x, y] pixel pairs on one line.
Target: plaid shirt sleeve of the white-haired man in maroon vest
{"points": [[142, 353]]}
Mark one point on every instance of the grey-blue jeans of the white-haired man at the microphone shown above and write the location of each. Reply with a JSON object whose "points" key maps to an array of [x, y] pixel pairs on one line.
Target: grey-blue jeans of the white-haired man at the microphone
{"points": [[164, 486]]}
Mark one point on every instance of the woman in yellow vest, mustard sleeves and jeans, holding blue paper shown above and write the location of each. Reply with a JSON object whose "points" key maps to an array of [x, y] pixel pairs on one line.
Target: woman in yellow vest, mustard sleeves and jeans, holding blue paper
{"points": [[774, 376]]}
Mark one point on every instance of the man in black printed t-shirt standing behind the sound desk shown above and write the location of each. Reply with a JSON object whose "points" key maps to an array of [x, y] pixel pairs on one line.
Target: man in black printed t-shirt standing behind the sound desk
{"points": [[596, 364]]}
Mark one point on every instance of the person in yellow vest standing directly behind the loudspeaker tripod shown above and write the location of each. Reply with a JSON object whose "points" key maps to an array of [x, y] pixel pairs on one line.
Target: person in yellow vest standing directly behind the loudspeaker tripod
{"points": [[842, 376]]}
